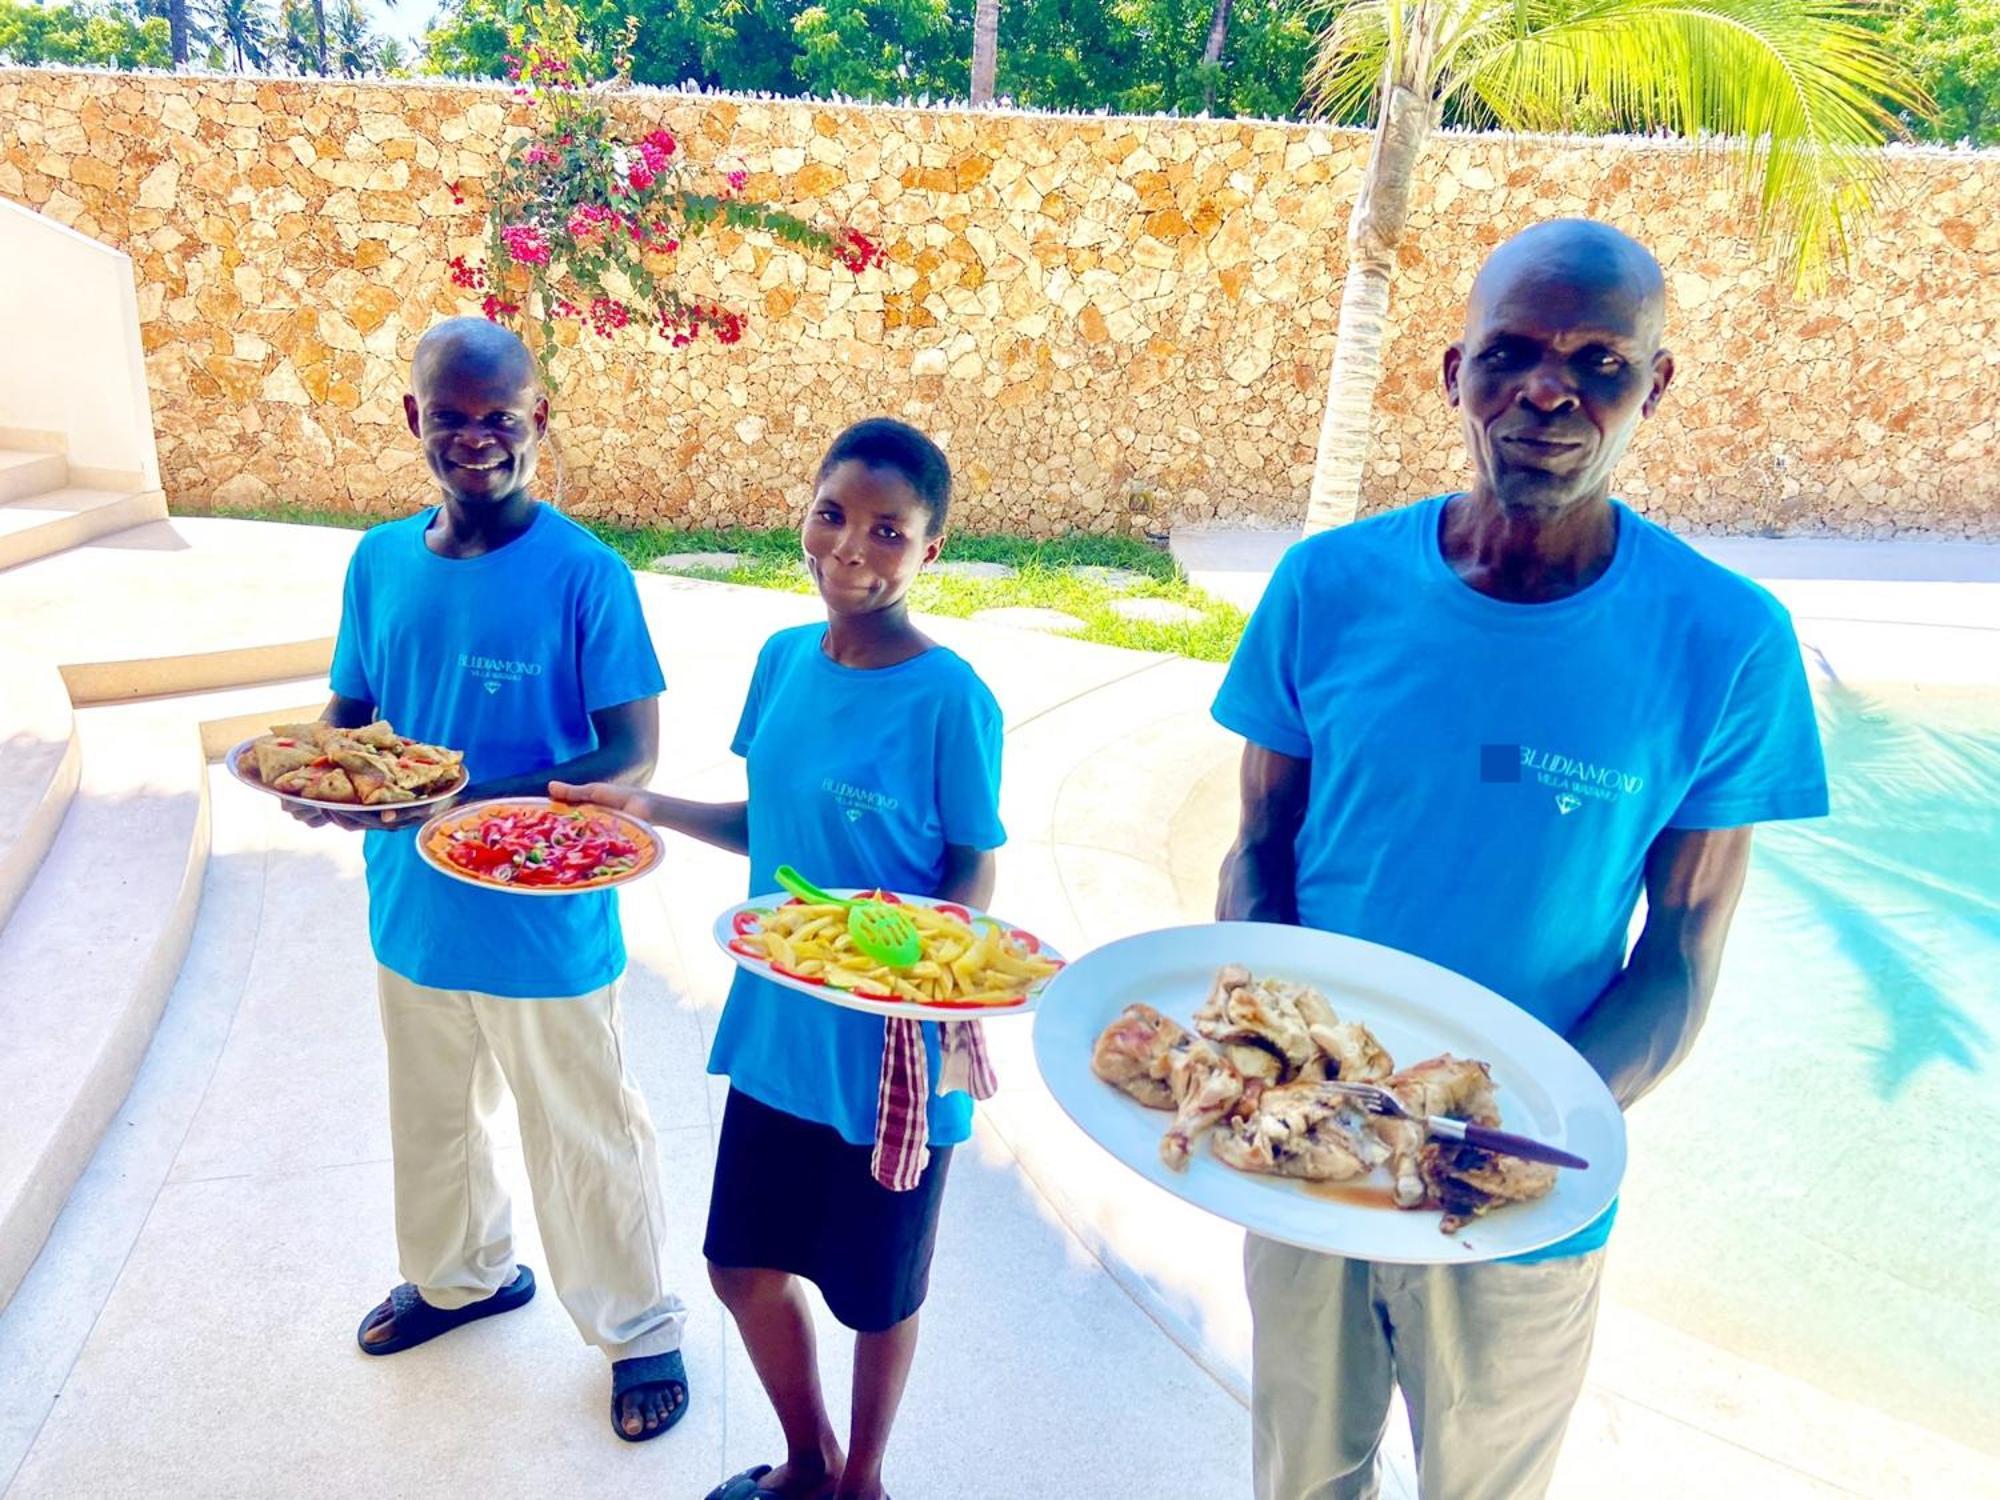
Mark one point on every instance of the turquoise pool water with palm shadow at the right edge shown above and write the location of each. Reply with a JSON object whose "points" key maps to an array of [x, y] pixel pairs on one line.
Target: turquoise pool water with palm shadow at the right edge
{"points": [[1819, 1187]]}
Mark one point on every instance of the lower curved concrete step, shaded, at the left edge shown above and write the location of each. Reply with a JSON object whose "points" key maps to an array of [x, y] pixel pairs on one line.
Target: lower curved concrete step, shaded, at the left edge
{"points": [[91, 957]]}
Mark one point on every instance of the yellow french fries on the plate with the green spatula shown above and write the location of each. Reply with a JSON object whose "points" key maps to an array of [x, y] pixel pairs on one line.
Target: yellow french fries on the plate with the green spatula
{"points": [[961, 967]]}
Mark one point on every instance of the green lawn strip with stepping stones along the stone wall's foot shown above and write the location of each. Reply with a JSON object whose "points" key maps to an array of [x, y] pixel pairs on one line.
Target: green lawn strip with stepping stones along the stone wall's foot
{"points": [[1043, 579]]}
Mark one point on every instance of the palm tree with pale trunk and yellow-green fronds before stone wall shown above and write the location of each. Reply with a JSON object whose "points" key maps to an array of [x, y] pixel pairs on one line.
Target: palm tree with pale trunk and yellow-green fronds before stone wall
{"points": [[1801, 85]]}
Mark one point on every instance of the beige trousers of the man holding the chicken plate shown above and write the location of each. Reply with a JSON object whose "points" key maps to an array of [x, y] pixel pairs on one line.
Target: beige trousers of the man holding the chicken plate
{"points": [[1491, 1361]]}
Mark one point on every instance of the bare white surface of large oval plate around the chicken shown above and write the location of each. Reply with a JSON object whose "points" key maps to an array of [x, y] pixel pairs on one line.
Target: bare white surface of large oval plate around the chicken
{"points": [[1413, 1007]]}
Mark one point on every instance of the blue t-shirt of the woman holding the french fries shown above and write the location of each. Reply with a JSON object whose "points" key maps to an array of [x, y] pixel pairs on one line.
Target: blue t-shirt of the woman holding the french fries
{"points": [[857, 779]]}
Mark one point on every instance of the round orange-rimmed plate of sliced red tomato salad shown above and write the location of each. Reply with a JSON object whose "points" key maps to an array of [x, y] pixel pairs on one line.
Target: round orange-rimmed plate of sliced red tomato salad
{"points": [[533, 847]]}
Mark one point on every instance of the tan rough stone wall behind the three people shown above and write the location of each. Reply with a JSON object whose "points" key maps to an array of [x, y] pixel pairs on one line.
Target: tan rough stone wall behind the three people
{"points": [[1109, 323]]}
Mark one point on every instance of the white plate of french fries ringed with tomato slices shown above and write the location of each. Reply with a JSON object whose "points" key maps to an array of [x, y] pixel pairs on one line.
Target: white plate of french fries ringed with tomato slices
{"points": [[973, 965]]}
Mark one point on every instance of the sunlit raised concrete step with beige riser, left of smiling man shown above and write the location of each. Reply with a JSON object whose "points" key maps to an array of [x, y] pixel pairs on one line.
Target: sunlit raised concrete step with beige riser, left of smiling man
{"points": [[115, 613]]}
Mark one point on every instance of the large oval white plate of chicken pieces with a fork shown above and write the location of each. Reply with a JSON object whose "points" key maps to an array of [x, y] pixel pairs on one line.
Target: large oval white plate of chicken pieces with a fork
{"points": [[1243, 1067]]}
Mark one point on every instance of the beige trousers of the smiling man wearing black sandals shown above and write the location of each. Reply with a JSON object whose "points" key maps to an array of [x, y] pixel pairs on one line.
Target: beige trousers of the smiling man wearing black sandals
{"points": [[593, 1159]]}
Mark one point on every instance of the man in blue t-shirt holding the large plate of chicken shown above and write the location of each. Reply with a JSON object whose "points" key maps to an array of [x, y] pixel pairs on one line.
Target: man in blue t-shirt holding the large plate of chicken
{"points": [[1479, 729]]}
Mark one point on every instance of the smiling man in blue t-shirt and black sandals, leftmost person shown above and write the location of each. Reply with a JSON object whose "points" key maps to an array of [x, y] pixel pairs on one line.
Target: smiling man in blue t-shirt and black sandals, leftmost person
{"points": [[497, 627]]}
